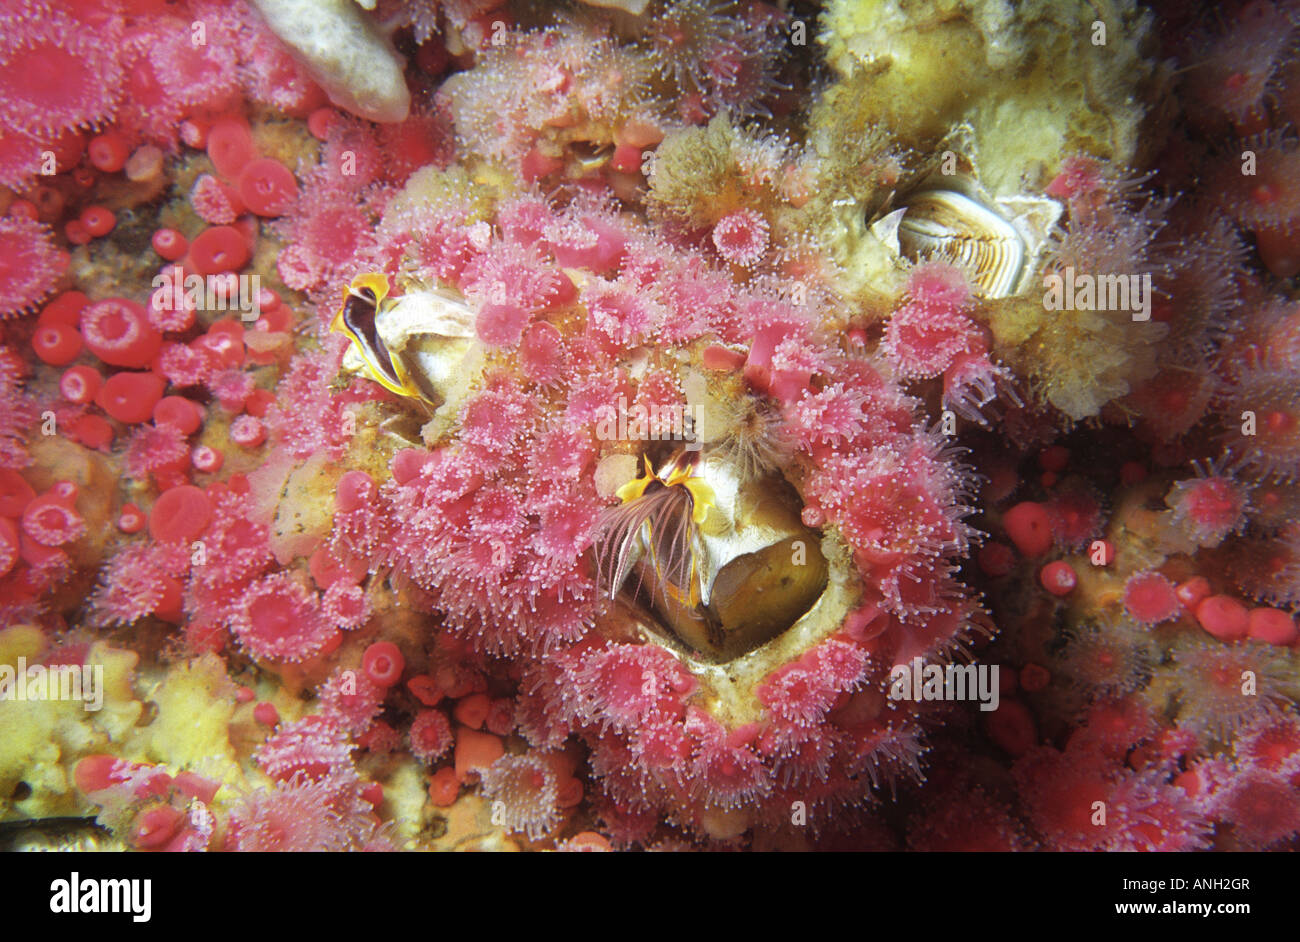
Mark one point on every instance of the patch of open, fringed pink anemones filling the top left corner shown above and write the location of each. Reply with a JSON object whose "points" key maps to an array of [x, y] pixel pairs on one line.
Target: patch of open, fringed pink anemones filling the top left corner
{"points": [[131, 80]]}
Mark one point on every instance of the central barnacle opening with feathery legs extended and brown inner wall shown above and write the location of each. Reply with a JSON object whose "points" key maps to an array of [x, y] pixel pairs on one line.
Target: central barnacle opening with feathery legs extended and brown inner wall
{"points": [[717, 561]]}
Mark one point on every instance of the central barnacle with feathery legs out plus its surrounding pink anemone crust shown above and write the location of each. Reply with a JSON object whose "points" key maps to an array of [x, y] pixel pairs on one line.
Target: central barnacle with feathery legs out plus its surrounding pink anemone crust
{"points": [[558, 518]]}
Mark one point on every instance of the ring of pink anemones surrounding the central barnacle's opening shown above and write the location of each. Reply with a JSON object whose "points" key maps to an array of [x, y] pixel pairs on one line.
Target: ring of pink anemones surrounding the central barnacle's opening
{"points": [[519, 470]]}
